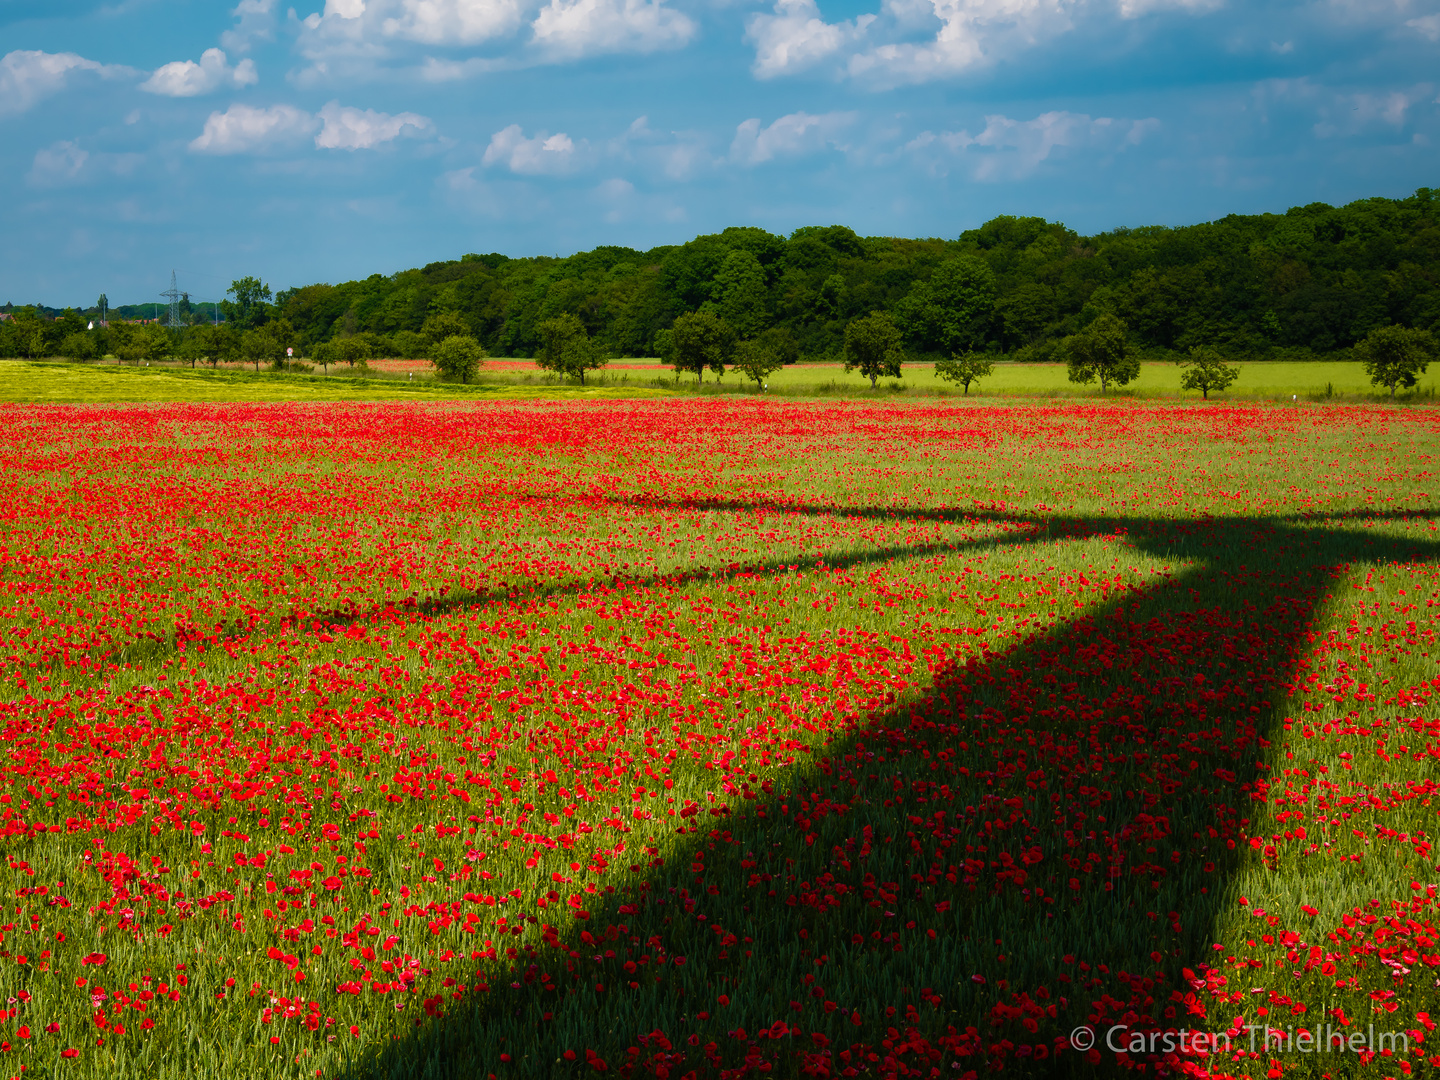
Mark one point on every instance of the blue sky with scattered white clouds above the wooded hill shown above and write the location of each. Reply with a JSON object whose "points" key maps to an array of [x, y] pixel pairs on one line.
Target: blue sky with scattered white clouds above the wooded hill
{"points": [[341, 139]]}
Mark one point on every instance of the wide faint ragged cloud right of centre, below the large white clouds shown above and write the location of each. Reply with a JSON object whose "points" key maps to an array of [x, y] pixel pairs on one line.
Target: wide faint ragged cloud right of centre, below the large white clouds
{"points": [[1016, 149]]}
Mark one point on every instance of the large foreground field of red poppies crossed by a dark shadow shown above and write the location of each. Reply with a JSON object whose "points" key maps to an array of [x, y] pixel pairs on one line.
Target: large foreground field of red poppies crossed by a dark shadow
{"points": [[712, 739]]}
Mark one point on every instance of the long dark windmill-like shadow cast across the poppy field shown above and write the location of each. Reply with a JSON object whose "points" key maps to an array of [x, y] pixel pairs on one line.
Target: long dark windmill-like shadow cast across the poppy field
{"points": [[1065, 803]]}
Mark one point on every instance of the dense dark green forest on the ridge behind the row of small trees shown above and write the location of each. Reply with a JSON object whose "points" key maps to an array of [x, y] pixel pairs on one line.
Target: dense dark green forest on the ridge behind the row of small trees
{"points": [[1314, 280]]}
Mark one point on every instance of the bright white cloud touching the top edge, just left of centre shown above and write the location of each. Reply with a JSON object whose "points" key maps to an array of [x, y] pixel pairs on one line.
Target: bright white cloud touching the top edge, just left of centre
{"points": [[585, 28]]}
